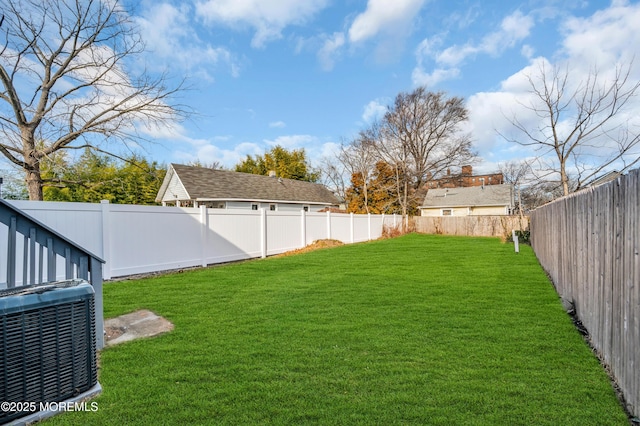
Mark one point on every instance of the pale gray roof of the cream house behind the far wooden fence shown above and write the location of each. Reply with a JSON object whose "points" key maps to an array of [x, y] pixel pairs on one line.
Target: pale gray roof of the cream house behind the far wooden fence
{"points": [[489, 195]]}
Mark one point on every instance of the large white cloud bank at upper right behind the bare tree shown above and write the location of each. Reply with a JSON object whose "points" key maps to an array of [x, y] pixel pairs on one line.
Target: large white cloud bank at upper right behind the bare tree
{"points": [[599, 42]]}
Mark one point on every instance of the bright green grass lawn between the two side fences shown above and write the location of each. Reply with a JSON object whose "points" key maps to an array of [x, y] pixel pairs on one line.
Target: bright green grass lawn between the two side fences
{"points": [[415, 330]]}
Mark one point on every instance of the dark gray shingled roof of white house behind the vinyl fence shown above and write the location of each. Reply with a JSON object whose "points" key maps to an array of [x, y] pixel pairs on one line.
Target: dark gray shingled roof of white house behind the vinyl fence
{"points": [[209, 184]]}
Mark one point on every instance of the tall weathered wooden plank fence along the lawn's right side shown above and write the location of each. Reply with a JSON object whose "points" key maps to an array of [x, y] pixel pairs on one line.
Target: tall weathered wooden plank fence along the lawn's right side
{"points": [[589, 244]]}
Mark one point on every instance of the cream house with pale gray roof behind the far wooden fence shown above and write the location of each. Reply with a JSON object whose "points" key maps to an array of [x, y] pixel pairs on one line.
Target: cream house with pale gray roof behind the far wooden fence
{"points": [[471, 201]]}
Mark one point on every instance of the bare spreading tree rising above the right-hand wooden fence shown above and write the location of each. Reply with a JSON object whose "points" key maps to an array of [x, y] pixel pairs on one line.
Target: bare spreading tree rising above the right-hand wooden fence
{"points": [[581, 127]]}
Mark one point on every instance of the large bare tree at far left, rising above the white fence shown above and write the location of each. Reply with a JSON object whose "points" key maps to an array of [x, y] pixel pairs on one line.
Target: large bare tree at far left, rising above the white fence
{"points": [[65, 84]]}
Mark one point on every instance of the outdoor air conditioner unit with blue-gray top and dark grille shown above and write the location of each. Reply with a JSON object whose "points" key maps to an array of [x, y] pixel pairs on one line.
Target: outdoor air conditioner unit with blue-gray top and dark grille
{"points": [[48, 345]]}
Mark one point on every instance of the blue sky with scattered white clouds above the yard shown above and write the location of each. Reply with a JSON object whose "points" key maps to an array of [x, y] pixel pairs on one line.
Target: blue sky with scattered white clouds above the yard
{"points": [[313, 73]]}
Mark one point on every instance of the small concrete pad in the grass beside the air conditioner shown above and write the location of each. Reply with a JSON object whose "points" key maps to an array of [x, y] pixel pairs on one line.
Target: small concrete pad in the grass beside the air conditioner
{"points": [[133, 326]]}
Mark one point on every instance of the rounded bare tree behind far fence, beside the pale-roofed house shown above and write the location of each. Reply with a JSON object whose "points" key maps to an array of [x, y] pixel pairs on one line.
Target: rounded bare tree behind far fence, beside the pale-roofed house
{"points": [[421, 136]]}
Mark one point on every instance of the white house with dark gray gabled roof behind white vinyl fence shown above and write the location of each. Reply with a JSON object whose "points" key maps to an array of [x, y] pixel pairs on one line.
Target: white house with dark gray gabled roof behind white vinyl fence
{"points": [[188, 186]]}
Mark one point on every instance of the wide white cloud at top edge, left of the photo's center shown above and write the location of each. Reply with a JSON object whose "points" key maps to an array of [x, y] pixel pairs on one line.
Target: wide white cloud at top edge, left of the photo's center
{"points": [[268, 18]]}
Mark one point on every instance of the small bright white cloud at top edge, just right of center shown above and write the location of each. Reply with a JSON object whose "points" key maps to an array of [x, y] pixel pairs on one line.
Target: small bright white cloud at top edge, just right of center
{"points": [[383, 16]]}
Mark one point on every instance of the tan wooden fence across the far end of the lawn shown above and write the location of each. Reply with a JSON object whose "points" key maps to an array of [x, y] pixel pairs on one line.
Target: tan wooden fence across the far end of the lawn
{"points": [[473, 226]]}
